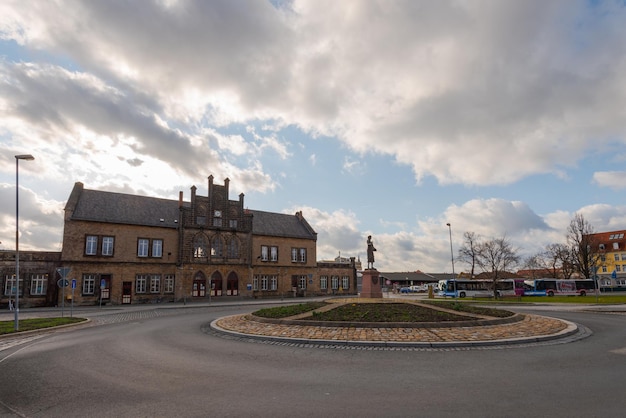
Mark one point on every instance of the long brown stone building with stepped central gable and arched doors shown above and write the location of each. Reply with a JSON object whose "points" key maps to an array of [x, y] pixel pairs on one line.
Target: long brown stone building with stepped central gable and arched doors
{"points": [[124, 248]]}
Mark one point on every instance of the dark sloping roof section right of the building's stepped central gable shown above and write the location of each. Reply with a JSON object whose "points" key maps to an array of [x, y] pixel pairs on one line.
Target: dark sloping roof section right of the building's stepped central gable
{"points": [[281, 225]]}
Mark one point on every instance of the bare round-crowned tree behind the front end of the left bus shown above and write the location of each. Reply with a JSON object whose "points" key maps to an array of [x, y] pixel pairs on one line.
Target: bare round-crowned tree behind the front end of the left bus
{"points": [[496, 257]]}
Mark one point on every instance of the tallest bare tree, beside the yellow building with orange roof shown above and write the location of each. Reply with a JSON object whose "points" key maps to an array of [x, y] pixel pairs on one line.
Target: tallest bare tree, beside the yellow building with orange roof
{"points": [[584, 246]]}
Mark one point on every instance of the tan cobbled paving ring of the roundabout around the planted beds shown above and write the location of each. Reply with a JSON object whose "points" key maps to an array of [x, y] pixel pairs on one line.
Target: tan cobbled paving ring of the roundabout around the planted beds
{"points": [[476, 331]]}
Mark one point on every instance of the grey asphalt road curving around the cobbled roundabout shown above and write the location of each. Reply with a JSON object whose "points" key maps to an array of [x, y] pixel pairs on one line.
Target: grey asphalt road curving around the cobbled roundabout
{"points": [[168, 366]]}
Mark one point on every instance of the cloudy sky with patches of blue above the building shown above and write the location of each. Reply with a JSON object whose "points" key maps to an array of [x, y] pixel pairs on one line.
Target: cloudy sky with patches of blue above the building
{"points": [[387, 118]]}
